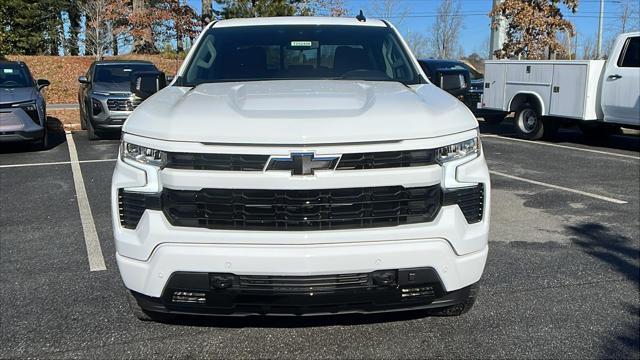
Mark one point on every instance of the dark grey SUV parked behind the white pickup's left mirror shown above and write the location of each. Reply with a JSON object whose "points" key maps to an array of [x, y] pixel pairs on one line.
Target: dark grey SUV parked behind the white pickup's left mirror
{"points": [[105, 96]]}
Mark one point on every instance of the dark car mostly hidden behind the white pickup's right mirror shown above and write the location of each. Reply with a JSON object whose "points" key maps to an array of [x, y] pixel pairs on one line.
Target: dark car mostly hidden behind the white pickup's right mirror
{"points": [[473, 97]]}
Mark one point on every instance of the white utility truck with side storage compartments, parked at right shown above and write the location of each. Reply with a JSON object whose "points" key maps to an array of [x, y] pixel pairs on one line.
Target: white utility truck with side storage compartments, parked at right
{"points": [[600, 96]]}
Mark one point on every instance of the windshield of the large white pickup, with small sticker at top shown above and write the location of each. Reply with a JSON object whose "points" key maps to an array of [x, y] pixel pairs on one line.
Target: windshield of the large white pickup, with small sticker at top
{"points": [[299, 52]]}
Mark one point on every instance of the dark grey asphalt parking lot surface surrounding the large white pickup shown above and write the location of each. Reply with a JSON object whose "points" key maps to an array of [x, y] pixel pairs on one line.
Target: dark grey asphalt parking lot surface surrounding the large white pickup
{"points": [[562, 278]]}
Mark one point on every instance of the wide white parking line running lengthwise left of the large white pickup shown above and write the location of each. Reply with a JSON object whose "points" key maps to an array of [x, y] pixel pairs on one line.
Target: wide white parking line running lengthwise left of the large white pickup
{"points": [[94, 251]]}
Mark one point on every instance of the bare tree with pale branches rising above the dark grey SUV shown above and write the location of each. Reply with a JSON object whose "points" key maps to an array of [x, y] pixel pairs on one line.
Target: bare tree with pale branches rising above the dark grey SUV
{"points": [[97, 34]]}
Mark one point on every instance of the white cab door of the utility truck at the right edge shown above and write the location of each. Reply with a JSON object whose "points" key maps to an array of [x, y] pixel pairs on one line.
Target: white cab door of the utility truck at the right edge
{"points": [[621, 82]]}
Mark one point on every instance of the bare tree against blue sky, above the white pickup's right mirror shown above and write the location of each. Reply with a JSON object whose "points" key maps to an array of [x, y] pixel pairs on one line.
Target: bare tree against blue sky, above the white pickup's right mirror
{"points": [[446, 29]]}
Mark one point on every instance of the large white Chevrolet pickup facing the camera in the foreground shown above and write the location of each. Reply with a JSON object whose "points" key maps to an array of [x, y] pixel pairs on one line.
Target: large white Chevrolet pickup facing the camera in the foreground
{"points": [[300, 166]]}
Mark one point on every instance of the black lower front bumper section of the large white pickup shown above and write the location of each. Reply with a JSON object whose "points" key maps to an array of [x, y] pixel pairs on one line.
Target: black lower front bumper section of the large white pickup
{"points": [[202, 294]]}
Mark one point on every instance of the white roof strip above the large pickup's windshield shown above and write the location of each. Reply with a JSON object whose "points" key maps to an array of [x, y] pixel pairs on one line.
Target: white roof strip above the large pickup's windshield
{"points": [[297, 20]]}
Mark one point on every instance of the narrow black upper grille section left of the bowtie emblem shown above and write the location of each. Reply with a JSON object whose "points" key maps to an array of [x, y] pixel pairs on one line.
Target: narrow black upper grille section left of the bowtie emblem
{"points": [[228, 162]]}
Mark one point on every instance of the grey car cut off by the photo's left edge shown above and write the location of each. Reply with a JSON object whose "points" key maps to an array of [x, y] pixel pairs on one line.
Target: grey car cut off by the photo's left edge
{"points": [[23, 110]]}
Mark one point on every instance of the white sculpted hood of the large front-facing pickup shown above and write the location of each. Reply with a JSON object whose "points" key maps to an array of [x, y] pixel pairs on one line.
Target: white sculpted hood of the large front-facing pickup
{"points": [[299, 112]]}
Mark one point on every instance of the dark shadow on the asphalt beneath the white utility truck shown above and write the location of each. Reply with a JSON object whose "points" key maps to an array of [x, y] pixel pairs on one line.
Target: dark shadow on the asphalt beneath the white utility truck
{"points": [[570, 135]]}
